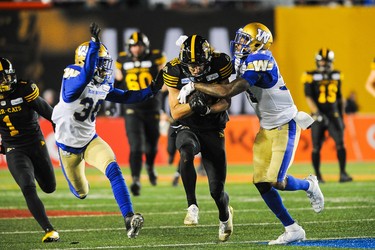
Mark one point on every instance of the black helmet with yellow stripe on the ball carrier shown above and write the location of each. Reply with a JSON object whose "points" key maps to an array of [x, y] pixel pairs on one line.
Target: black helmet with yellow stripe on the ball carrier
{"points": [[195, 51]]}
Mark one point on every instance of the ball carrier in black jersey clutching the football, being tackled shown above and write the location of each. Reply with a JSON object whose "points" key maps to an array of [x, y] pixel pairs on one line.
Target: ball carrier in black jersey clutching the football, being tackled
{"points": [[201, 124]]}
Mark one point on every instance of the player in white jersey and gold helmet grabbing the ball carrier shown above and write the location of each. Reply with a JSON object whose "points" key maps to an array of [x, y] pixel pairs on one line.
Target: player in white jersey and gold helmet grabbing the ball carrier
{"points": [[280, 124]]}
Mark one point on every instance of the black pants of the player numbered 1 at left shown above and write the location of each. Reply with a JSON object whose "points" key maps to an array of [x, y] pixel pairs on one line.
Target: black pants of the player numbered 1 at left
{"points": [[27, 165]]}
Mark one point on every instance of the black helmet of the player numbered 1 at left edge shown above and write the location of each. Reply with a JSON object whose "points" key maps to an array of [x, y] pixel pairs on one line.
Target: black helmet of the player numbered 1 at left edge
{"points": [[8, 78]]}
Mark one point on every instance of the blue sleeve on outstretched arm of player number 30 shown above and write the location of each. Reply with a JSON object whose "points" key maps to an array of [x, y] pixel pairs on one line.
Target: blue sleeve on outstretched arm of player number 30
{"points": [[129, 96]]}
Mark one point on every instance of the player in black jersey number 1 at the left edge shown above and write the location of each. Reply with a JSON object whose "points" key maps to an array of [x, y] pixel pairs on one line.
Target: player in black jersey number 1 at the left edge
{"points": [[23, 143]]}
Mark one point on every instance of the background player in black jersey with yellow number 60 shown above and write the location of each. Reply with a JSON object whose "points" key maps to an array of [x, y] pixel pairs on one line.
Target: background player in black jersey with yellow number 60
{"points": [[135, 70]]}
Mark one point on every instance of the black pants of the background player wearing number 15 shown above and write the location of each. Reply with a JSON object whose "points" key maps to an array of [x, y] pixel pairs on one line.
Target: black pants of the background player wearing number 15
{"points": [[335, 127]]}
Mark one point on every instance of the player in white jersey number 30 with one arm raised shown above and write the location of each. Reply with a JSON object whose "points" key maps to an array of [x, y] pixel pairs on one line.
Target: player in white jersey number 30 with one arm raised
{"points": [[85, 85]]}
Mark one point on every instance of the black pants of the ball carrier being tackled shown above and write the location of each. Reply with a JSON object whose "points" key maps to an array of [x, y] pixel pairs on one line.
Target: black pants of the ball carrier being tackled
{"points": [[211, 144]]}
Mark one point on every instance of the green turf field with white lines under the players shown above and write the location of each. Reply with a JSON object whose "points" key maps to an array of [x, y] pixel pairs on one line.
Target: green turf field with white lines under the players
{"points": [[349, 213]]}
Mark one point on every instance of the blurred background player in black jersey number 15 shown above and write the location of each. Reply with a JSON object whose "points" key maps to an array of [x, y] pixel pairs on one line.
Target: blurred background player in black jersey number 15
{"points": [[324, 98]]}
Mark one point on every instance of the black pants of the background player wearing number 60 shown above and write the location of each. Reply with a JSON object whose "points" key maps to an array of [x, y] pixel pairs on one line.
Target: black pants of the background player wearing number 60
{"points": [[142, 130]]}
